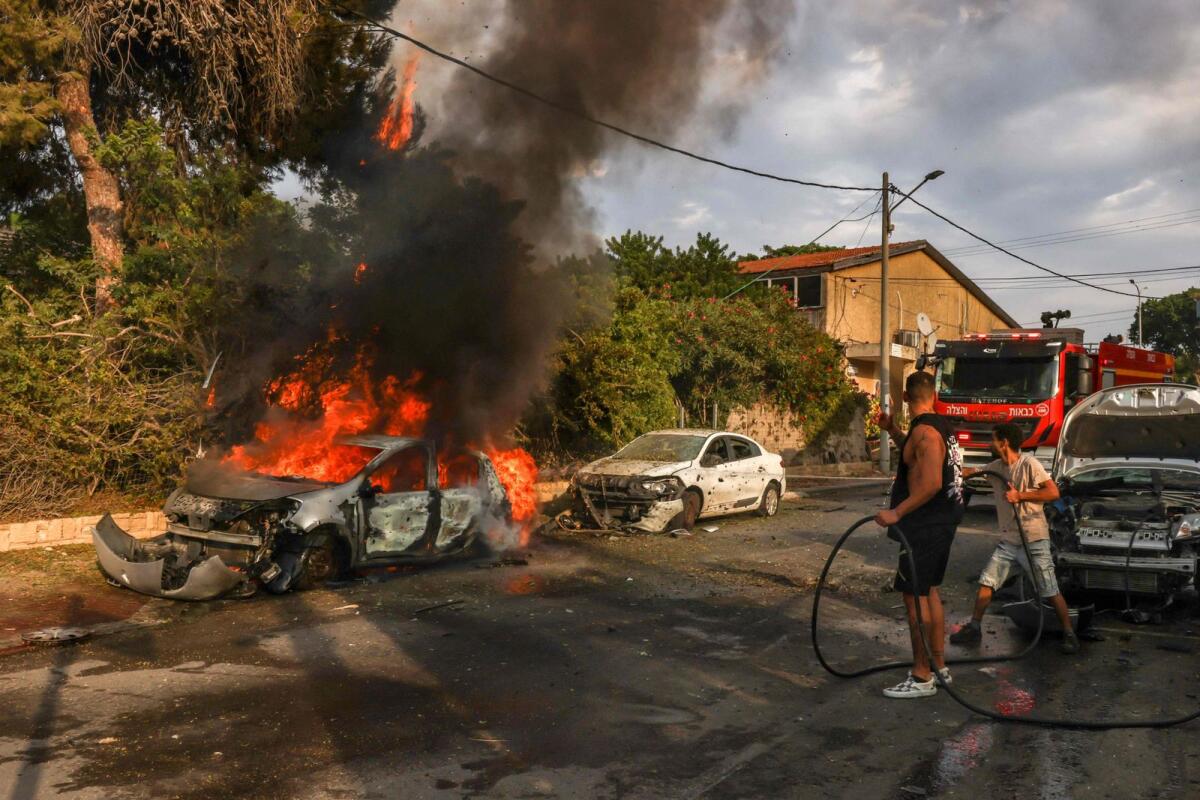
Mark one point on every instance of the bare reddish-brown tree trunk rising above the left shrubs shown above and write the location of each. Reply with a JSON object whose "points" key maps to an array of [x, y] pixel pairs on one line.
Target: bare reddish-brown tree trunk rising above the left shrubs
{"points": [[101, 193]]}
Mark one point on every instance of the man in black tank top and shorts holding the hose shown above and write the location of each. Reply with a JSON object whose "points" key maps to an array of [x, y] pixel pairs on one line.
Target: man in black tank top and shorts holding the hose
{"points": [[927, 504]]}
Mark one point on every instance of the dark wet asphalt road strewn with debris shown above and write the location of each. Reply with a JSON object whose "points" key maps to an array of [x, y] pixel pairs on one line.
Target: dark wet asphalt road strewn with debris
{"points": [[604, 667]]}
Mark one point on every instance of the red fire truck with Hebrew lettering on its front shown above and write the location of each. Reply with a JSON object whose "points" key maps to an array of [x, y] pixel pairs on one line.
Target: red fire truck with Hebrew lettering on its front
{"points": [[1031, 377]]}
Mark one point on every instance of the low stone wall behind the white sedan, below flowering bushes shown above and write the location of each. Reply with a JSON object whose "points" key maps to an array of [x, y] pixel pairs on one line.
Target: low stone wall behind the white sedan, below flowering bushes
{"points": [[777, 430]]}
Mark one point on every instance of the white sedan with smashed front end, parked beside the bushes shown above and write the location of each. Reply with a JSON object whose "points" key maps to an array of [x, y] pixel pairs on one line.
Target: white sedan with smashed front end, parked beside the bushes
{"points": [[670, 479]]}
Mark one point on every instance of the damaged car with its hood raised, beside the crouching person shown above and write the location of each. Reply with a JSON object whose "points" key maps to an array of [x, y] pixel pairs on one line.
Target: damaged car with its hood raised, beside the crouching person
{"points": [[1129, 465]]}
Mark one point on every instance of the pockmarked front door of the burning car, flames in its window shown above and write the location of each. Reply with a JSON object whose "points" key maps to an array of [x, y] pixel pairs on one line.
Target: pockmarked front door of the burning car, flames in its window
{"points": [[399, 506]]}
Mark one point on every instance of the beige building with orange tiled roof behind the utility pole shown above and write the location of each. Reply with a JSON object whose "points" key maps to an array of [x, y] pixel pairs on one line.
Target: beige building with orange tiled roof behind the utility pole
{"points": [[839, 293]]}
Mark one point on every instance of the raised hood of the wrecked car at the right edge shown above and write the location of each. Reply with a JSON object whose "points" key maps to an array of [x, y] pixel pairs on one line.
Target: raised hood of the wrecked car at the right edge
{"points": [[1153, 424]]}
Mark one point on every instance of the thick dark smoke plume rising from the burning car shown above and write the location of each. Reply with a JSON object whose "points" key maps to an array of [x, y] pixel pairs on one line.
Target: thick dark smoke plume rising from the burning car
{"points": [[448, 230]]}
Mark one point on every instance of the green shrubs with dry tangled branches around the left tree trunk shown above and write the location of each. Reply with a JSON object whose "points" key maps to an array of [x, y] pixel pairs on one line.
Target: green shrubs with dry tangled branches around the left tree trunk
{"points": [[115, 402]]}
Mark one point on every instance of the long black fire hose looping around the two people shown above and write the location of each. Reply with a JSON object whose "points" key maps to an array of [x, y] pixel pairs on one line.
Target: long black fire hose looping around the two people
{"points": [[1033, 720]]}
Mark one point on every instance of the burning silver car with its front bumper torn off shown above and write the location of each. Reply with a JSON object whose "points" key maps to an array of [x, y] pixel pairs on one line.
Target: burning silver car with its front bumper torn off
{"points": [[231, 531]]}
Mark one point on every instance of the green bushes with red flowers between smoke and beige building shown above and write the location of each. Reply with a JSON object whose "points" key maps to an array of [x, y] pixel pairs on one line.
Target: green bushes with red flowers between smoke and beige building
{"points": [[674, 345]]}
